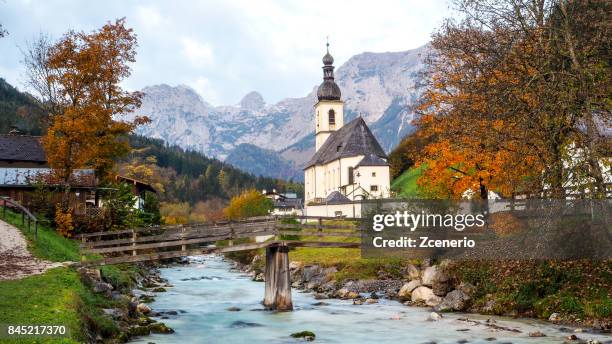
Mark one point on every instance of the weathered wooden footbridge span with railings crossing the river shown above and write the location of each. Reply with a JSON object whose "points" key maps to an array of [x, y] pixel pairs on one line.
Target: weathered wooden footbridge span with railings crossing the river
{"points": [[162, 242]]}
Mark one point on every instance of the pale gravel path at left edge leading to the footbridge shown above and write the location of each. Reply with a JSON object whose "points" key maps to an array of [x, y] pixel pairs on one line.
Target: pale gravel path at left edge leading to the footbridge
{"points": [[15, 260]]}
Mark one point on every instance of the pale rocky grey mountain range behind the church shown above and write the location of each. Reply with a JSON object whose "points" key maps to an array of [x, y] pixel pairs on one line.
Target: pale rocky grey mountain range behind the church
{"points": [[277, 139]]}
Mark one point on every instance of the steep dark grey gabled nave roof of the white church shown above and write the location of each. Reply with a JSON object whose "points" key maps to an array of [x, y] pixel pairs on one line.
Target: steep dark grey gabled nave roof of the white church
{"points": [[354, 138]]}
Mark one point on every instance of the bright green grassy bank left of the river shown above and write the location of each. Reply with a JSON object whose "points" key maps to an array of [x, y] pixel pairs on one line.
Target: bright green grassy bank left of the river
{"points": [[58, 296]]}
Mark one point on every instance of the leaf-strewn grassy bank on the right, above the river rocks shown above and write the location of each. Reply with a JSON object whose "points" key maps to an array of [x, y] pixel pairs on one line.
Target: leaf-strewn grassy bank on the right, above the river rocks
{"points": [[579, 291]]}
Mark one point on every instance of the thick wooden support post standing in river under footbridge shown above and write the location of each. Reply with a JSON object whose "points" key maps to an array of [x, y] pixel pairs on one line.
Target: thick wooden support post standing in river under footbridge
{"points": [[278, 284]]}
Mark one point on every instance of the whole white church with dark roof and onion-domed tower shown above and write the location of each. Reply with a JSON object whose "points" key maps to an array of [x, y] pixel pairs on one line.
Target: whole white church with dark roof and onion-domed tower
{"points": [[348, 165]]}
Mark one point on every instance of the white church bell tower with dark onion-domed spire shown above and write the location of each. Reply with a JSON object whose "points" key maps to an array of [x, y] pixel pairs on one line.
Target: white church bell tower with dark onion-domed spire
{"points": [[329, 110]]}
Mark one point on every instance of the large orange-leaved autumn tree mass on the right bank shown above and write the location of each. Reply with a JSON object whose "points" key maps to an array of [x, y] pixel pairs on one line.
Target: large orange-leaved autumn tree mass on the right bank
{"points": [[503, 108]]}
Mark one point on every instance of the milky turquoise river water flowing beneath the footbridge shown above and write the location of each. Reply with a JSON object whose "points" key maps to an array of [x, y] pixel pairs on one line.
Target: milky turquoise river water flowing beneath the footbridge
{"points": [[204, 291]]}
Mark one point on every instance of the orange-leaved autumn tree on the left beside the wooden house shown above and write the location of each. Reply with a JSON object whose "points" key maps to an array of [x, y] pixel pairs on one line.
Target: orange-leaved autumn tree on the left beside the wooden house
{"points": [[79, 78]]}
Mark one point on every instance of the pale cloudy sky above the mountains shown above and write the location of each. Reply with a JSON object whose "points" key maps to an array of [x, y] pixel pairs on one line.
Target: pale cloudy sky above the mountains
{"points": [[224, 49]]}
